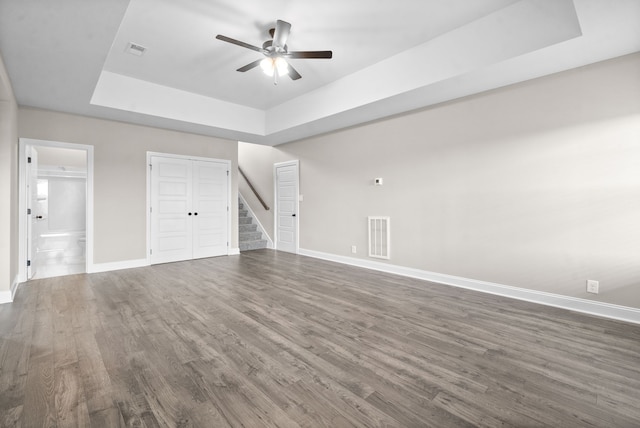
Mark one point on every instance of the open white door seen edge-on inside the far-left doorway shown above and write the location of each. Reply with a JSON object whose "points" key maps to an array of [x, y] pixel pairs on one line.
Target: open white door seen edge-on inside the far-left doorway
{"points": [[32, 215]]}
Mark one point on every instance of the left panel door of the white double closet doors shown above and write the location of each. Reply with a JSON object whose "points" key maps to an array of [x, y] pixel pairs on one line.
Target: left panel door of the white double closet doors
{"points": [[171, 196]]}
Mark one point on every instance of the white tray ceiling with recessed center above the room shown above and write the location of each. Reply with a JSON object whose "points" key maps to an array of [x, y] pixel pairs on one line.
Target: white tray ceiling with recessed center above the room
{"points": [[389, 57]]}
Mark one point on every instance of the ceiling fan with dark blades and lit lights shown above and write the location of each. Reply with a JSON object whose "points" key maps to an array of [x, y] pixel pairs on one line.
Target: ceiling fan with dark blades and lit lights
{"points": [[276, 53]]}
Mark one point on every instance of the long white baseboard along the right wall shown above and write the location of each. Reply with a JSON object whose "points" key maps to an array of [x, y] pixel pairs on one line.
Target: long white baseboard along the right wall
{"points": [[607, 310]]}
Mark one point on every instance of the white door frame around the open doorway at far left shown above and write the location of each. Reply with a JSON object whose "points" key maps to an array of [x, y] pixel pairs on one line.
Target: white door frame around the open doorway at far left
{"points": [[22, 200]]}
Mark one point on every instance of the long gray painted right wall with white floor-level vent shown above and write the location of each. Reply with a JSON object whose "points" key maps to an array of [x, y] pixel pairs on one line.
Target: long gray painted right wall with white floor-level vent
{"points": [[536, 185]]}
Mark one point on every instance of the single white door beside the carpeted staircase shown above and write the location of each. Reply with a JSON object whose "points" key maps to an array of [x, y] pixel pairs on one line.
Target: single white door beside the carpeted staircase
{"points": [[287, 207]]}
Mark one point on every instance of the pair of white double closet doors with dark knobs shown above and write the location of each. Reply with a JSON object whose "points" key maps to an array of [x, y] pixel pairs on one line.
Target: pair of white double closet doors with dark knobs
{"points": [[189, 209]]}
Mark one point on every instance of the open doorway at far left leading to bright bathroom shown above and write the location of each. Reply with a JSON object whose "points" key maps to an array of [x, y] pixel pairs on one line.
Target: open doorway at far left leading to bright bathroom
{"points": [[55, 193]]}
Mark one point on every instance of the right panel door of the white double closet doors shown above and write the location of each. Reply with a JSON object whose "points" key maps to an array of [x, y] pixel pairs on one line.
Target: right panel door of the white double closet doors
{"points": [[210, 208]]}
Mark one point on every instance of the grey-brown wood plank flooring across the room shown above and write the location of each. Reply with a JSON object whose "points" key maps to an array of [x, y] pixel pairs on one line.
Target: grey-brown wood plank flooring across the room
{"points": [[269, 339]]}
